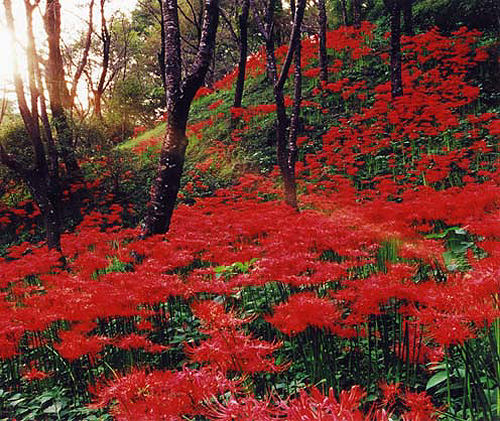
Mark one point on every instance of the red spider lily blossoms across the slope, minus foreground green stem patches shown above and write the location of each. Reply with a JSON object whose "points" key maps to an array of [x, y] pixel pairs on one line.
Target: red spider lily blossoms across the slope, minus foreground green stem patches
{"points": [[323, 259]]}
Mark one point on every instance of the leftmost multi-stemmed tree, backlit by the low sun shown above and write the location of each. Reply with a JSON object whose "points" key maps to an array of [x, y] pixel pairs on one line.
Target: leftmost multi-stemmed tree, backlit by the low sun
{"points": [[42, 176]]}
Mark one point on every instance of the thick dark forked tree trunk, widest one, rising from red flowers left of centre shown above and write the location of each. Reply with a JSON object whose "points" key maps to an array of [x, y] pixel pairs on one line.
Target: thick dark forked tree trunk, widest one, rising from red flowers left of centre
{"points": [[179, 96]]}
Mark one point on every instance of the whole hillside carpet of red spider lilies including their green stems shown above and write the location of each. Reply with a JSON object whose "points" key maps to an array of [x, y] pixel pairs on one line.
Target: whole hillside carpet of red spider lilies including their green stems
{"points": [[378, 300]]}
